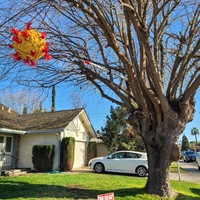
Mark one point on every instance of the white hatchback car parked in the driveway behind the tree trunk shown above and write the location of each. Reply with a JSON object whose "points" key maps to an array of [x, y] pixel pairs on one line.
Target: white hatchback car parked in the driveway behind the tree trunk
{"points": [[121, 162]]}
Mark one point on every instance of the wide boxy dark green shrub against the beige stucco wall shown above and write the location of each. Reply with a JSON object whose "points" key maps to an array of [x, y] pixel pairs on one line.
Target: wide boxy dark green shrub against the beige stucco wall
{"points": [[43, 156]]}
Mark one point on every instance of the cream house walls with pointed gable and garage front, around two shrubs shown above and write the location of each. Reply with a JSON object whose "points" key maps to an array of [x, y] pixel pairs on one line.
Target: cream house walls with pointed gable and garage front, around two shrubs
{"points": [[76, 129]]}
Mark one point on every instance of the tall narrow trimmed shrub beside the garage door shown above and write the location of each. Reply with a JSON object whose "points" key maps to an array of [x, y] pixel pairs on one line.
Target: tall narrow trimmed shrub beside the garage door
{"points": [[67, 154]]}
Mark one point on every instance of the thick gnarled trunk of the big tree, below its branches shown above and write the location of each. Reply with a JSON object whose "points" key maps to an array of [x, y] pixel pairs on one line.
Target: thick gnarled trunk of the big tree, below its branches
{"points": [[162, 150]]}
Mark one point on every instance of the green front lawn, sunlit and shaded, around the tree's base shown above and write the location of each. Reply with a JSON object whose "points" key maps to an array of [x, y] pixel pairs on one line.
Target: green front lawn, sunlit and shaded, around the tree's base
{"points": [[73, 186]]}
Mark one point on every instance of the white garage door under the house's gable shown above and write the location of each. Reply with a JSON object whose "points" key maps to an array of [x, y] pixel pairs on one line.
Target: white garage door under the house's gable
{"points": [[80, 154]]}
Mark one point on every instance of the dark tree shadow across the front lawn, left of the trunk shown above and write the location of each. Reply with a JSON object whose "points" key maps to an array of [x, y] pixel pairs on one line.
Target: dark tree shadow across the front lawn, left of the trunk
{"points": [[15, 190]]}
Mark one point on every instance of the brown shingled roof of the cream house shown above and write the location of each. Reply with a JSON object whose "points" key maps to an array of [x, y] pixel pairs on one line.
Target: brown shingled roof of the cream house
{"points": [[37, 121]]}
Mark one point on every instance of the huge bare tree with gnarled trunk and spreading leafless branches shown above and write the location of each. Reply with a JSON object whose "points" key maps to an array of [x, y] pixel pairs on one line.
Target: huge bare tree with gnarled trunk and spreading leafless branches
{"points": [[142, 55]]}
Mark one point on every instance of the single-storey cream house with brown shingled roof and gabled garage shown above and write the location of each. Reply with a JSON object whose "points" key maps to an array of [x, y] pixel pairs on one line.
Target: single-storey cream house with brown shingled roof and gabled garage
{"points": [[19, 133]]}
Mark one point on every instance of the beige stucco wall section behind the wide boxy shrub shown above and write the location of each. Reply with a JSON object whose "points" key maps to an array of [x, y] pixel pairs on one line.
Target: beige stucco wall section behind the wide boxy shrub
{"points": [[28, 141]]}
